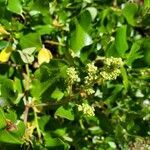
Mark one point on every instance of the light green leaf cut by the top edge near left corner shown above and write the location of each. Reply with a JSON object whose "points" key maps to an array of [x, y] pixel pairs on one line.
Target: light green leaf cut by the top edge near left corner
{"points": [[15, 6]]}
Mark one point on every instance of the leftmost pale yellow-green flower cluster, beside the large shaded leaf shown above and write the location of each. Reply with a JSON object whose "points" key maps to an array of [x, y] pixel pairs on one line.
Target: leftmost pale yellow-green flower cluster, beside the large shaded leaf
{"points": [[73, 75]]}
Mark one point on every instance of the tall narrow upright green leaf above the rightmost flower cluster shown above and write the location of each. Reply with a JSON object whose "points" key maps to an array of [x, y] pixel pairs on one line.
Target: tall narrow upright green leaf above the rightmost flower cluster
{"points": [[121, 40]]}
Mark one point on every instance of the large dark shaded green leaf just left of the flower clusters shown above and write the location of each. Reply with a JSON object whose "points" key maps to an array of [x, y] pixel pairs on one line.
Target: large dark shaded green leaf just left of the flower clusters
{"points": [[46, 79]]}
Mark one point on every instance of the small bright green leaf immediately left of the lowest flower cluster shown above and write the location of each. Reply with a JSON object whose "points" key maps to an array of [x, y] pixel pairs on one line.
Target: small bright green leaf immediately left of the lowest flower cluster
{"points": [[65, 112]]}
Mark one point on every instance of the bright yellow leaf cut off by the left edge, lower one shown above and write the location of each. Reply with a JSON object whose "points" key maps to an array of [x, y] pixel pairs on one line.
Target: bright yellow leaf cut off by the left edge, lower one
{"points": [[5, 54]]}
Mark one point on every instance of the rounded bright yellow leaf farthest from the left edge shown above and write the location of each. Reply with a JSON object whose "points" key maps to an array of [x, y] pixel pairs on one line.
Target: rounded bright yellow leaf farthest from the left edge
{"points": [[44, 55]]}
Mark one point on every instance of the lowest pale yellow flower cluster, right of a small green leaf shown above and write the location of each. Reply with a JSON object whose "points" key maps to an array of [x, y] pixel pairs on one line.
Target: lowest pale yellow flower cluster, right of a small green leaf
{"points": [[86, 109]]}
